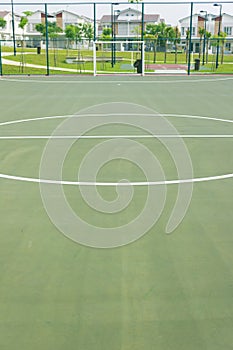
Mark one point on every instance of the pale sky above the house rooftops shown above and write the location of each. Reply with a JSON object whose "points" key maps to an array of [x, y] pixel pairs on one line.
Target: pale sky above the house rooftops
{"points": [[171, 12]]}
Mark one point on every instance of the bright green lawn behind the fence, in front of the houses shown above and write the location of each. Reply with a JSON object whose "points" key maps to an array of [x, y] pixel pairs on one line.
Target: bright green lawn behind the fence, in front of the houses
{"points": [[57, 58]]}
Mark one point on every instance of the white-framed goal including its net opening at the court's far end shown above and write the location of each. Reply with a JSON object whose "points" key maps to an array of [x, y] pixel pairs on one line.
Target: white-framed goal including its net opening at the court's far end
{"points": [[118, 57]]}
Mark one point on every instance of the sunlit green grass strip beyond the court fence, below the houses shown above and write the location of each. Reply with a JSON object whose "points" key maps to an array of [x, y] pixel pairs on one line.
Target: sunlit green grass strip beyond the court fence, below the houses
{"points": [[126, 59]]}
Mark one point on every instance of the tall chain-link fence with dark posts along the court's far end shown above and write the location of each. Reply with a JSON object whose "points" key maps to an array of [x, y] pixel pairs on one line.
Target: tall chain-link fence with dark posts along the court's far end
{"points": [[59, 39]]}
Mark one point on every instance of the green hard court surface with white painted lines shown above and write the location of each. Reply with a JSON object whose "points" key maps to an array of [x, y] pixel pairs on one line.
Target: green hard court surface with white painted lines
{"points": [[163, 291]]}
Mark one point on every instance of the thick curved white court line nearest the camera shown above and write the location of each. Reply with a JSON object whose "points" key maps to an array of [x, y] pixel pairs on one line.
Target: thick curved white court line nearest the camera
{"points": [[145, 183]]}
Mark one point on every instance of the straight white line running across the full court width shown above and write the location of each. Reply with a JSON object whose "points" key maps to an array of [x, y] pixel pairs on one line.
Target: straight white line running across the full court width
{"points": [[41, 137]]}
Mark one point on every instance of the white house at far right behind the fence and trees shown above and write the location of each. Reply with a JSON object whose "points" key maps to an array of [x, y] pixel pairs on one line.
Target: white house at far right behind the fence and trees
{"points": [[211, 22]]}
